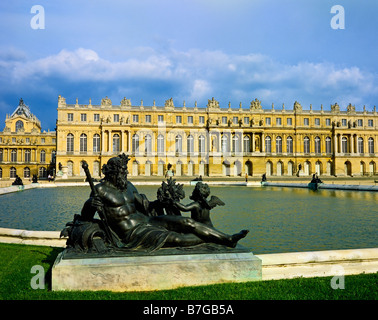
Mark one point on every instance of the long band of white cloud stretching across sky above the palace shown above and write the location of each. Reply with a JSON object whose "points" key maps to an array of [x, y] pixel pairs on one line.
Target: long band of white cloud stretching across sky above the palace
{"points": [[199, 75]]}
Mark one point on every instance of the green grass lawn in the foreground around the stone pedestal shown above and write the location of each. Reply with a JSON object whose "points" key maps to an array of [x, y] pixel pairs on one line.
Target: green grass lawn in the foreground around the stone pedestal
{"points": [[16, 262]]}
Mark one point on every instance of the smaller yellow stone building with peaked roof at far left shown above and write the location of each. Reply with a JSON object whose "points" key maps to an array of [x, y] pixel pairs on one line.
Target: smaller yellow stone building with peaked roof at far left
{"points": [[24, 149]]}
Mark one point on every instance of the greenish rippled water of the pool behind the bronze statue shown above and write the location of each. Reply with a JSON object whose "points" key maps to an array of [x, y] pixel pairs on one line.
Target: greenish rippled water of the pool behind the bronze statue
{"points": [[279, 219]]}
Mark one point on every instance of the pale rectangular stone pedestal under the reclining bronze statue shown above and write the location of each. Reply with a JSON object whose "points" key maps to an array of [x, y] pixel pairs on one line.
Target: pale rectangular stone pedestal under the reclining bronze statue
{"points": [[157, 271]]}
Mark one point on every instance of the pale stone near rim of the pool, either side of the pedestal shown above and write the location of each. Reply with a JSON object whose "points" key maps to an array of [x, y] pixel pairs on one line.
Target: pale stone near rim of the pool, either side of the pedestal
{"points": [[275, 266]]}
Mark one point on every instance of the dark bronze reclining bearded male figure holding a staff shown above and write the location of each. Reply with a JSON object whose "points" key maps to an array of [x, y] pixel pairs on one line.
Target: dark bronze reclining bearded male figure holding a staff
{"points": [[129, 221]]}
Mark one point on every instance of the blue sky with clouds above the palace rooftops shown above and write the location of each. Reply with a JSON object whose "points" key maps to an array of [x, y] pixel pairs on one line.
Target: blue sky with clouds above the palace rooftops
{"points": [[278, 51]]}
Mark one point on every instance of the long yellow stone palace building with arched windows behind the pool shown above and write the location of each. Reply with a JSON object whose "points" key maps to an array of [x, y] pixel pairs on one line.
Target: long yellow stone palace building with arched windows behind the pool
{"points": [[215, 141]]}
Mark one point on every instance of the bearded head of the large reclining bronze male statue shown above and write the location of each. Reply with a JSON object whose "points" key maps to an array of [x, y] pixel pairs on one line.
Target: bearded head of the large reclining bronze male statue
{"points": [[115, 170]]}
